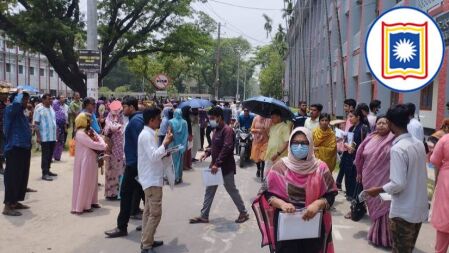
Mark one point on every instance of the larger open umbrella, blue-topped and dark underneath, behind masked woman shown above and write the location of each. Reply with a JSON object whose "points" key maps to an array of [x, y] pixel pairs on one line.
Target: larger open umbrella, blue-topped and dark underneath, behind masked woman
{"points": [[263, 106]]}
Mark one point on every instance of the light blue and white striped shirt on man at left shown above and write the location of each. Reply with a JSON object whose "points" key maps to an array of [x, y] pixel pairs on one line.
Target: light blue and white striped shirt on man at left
{"points": [[47, 123]]}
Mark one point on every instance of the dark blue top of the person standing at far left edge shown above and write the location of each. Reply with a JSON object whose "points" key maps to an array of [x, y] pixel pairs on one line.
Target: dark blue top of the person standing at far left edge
{"points": [[15, 126]]}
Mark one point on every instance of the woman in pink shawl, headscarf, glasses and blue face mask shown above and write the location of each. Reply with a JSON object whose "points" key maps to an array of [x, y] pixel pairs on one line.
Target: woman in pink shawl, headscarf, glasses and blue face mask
{"points": [[297, 181]]}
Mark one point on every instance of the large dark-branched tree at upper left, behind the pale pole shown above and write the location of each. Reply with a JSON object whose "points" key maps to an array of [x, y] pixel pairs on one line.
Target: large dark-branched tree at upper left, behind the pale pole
{"points": [[128, 28]]}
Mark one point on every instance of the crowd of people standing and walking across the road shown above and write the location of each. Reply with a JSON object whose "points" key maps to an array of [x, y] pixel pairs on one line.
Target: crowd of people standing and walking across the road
{"points": [[295, 159]]}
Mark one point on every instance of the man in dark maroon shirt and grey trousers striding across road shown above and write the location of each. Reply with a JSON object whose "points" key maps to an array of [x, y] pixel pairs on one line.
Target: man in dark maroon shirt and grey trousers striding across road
{"points": [[222, 151]]}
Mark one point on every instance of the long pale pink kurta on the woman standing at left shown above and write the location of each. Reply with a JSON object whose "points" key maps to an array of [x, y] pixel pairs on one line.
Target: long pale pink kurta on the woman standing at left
{"points": [[85, 171]]}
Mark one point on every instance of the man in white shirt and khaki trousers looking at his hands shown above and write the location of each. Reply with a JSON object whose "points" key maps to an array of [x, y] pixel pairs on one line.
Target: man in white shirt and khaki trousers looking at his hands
{"points": [[151, 176]]}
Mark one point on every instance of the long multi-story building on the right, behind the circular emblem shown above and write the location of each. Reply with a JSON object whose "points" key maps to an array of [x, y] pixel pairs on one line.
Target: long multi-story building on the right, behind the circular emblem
{"points": [[326, 59]]}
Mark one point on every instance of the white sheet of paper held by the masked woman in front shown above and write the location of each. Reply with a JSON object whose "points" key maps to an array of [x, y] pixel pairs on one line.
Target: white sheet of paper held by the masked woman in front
{"points": [[293, 227]]}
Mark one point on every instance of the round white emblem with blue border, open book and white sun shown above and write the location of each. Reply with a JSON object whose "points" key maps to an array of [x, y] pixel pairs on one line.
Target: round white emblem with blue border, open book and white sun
{"points": [[404, 49]]}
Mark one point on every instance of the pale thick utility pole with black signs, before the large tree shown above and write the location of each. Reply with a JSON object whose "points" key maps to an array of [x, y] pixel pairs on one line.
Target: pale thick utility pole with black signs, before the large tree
{"points": [[92, 44]]}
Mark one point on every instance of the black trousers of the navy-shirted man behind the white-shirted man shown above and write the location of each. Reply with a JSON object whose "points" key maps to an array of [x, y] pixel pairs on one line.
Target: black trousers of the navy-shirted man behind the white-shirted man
{"points": [[127, 190]]}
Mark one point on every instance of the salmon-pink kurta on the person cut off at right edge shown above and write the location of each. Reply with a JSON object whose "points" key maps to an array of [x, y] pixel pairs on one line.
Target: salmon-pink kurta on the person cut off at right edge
{"points": [[440, 213]]}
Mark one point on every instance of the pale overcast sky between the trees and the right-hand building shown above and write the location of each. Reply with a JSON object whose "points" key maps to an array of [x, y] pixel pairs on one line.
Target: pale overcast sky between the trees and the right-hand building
{"points": [[245, 21]]}
